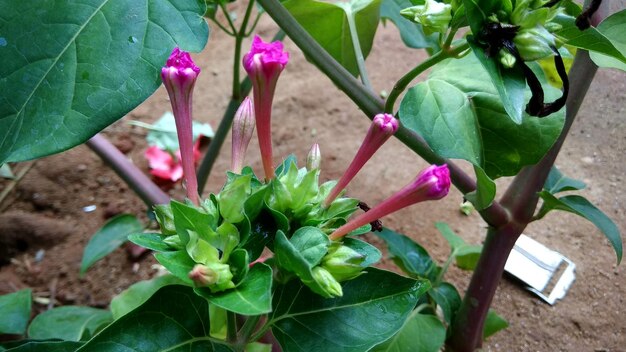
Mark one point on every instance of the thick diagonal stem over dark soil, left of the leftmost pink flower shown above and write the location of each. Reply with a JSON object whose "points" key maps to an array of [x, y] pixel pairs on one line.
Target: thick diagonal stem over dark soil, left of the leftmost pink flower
{"points": [[150, 193]]}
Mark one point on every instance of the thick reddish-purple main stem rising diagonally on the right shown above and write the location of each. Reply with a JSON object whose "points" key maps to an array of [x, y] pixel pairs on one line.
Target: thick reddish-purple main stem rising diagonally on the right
{"points": [[521, 200]]}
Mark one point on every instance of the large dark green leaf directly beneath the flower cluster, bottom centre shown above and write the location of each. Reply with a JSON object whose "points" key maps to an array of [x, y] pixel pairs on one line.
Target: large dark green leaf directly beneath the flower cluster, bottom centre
{"points": [[376, 302]]}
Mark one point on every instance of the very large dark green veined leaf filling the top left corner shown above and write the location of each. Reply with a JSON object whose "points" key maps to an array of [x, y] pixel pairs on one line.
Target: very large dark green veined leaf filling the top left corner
{"points": [[72, 68]]}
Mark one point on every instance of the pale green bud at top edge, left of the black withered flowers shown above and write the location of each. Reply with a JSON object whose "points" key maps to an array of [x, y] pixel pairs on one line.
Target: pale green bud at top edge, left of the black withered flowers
{"points": [[433, 16]]}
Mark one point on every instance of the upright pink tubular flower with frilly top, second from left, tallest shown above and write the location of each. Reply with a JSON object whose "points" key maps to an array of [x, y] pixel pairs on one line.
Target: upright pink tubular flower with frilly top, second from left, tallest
{"points": [[264, 63]]}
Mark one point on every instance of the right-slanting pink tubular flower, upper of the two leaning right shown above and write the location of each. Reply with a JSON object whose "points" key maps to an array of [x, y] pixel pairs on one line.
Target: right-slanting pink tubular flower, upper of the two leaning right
{"points": [[383, 126]]}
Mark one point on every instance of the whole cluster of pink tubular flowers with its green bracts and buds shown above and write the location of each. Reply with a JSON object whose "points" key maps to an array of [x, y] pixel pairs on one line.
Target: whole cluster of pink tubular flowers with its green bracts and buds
{"points": [[214, 243]]}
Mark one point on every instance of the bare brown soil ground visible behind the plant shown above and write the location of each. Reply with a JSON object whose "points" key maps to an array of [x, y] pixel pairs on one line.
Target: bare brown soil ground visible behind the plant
{"points": [[44, 224]]}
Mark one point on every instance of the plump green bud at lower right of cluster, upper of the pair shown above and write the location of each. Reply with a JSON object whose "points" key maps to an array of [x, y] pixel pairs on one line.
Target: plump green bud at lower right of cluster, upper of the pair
{"points": [[344, 263]]}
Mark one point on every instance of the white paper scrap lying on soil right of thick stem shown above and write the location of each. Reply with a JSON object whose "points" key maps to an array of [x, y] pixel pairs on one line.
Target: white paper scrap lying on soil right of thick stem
{"points": [[546, 273]]}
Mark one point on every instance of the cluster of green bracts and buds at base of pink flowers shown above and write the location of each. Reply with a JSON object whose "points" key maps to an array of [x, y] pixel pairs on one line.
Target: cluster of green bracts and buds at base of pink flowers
{"points": [[212, 245]]}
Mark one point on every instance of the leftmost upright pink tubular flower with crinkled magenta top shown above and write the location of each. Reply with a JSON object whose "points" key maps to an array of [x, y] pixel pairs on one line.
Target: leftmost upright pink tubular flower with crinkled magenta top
{"points": [[179, 77]]}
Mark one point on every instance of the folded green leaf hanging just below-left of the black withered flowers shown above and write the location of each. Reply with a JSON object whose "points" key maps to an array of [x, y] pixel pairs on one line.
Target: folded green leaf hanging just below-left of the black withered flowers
{"points": [[509, 82]]}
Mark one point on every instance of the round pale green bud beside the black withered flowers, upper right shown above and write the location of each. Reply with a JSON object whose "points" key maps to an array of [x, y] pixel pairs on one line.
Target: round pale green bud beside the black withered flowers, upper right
{"points": [[534, 43]]}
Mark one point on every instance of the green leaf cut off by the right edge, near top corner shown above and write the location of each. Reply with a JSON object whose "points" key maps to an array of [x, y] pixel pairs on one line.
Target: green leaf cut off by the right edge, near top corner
{"points": [[613, 28]]}
